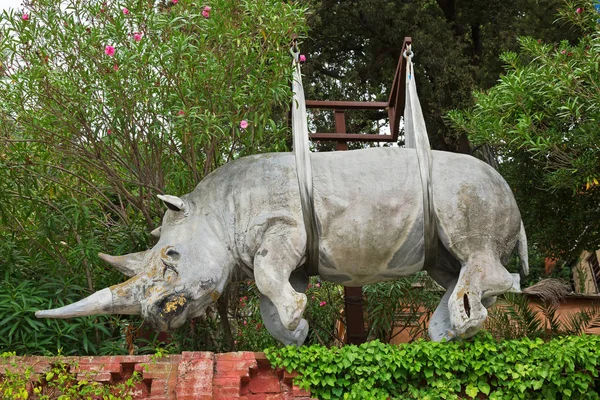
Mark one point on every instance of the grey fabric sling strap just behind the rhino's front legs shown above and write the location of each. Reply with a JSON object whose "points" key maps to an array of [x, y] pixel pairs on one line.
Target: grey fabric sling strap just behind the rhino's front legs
{"points": [[304, 169]]}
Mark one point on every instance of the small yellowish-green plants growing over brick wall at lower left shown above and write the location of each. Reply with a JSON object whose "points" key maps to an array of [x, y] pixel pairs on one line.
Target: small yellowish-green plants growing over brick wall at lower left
{"points": [[60, 382]]}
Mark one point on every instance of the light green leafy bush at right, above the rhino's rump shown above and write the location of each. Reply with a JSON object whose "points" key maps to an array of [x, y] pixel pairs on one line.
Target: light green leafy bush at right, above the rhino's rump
{"points": [[542, 120]]}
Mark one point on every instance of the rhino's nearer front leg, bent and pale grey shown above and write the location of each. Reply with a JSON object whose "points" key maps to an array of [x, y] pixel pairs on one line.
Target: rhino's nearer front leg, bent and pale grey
{"points": [[274, 262]]}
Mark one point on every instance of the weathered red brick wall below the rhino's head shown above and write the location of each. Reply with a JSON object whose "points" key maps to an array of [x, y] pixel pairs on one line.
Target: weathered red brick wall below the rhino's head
{"points": [[189, 376]]}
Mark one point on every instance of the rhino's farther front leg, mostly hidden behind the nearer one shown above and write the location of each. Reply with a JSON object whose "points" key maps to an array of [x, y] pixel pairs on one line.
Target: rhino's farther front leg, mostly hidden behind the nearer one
{"points": [[270, 316]]}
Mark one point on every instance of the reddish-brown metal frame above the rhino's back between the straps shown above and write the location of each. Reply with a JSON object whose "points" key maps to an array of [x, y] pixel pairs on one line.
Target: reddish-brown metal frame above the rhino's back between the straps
{"points": [[394, 107]]}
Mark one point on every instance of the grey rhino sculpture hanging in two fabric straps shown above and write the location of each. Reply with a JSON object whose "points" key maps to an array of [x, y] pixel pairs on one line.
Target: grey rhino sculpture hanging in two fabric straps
{"points": [[244, 221]]}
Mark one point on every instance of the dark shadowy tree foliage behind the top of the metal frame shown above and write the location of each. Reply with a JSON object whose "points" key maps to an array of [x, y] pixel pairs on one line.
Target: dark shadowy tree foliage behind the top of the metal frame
{"points": [[354, 47]]}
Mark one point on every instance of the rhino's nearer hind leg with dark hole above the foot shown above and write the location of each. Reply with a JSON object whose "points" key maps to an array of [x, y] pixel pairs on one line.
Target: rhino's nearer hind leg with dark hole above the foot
{"points": [[481, 278]]}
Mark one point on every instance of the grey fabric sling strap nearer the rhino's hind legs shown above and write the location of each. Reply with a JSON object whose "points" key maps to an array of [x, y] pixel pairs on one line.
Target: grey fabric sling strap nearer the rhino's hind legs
{"points": [[415, 134]]}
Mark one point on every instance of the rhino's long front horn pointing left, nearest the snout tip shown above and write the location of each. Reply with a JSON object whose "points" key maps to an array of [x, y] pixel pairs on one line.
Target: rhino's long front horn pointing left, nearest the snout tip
{"points": [[105, 301]]}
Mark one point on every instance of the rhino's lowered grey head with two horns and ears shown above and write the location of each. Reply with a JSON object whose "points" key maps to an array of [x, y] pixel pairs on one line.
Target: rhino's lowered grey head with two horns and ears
{"points": [[177, 279]]}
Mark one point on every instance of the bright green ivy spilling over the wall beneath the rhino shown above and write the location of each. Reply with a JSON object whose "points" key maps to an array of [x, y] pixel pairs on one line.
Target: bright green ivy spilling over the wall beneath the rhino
{"points": [[566, 367]]}
